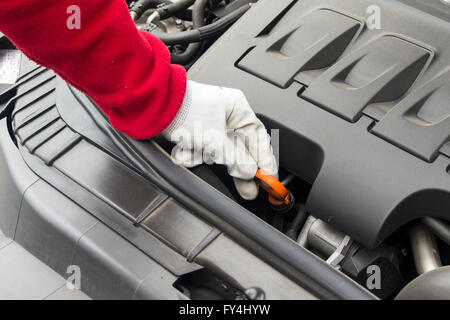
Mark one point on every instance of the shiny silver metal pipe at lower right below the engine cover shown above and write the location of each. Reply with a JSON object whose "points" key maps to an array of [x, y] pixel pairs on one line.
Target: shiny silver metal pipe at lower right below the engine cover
{"points": [[424, 248]]}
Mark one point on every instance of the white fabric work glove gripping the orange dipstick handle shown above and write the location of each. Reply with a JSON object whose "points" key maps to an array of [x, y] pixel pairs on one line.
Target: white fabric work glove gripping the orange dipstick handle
{"points": [[216, 124]]}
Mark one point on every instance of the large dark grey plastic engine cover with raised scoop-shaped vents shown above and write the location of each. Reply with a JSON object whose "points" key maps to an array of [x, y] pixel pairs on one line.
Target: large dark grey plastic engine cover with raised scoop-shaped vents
{"points": [[369, 130]]}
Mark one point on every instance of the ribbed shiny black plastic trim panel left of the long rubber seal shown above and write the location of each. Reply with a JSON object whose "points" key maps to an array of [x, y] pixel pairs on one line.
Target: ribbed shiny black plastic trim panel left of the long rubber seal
{"points": [[95, 177]]}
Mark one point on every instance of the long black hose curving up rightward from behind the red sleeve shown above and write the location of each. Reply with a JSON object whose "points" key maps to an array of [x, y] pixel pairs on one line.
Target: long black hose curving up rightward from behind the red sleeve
{"points": [[197, 35]]}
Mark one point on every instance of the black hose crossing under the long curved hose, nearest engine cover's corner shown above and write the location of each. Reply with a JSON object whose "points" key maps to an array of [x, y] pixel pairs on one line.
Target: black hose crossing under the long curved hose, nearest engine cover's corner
{"points": [[198, 20]]}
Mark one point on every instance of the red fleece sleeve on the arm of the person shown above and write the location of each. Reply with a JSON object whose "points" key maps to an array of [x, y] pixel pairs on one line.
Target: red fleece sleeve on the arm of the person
{"points": [[125, 71]]}
